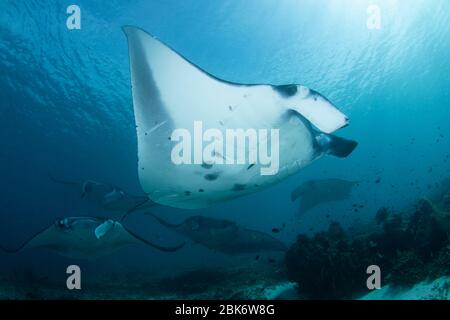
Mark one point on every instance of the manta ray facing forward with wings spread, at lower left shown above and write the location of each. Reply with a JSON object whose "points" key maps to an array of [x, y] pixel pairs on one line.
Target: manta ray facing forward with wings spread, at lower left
{"points": [[85, 238]]}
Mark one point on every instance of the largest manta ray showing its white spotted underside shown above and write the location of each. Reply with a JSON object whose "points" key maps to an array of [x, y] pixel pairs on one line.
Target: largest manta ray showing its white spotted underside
{"points": [[169, 92]]}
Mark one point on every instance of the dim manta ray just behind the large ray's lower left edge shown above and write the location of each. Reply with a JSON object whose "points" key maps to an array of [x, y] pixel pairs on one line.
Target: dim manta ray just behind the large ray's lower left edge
{"points": [[109, 197]]}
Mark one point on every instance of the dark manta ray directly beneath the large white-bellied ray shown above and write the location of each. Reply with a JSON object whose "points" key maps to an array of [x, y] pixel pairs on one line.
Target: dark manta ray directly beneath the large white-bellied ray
{"points": [[224, 236]]}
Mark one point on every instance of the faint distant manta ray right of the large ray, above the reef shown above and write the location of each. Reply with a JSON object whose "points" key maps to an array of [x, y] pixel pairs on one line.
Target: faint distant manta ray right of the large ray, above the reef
{"points": [[315, 192]]}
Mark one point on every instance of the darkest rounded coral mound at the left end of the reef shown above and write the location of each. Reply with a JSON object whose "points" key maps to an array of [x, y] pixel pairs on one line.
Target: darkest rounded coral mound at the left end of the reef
{"points": [[328, 265]]}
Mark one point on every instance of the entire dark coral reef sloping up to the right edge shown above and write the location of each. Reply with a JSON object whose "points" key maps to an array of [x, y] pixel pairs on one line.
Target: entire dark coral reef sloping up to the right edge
{"points": [[408, 249]]}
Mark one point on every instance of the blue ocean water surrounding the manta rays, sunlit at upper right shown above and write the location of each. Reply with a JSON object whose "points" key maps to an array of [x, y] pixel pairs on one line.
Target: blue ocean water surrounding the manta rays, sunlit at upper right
{"points": [[66, 109]]}
